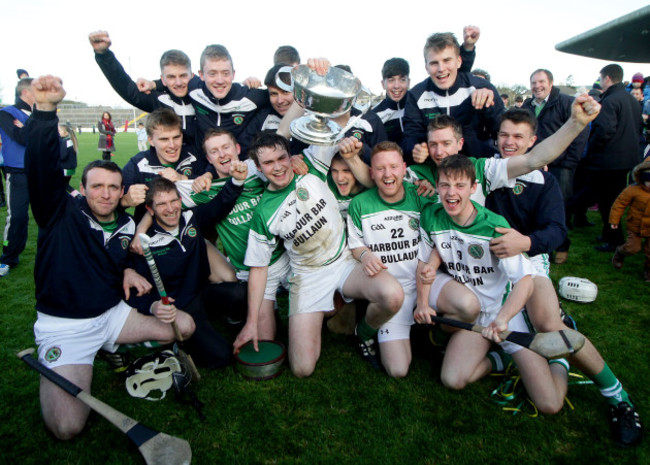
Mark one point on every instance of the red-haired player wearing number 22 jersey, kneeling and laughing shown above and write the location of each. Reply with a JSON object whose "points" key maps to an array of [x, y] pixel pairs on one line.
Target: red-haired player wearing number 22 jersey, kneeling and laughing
{"points": [[383, 229]]}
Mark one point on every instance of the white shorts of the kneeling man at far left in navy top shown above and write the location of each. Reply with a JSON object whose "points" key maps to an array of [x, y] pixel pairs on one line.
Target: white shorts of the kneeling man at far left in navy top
{"points": [[71, 341]]}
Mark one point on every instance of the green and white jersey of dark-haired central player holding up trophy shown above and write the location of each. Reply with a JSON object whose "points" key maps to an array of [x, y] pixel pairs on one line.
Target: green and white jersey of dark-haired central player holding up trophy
{"points": [[304, 216]]}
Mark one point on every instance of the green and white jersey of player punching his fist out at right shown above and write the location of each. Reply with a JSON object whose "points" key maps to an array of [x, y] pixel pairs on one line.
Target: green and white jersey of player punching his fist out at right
{"points": [[491, 174]]}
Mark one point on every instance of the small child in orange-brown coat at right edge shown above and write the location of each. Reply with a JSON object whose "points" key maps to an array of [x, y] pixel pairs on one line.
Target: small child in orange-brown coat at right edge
{"points": [[637, 197]]}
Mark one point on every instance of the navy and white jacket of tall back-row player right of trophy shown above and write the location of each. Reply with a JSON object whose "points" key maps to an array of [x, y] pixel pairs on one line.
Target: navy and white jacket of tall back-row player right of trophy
{"points": [[425, 101]]}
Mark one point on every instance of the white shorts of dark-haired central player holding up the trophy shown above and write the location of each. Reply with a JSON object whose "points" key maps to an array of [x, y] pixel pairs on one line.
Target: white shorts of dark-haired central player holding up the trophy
{"points": [[314, 291]]}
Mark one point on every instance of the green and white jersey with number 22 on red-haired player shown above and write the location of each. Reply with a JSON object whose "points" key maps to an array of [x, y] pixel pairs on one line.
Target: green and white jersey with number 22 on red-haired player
{"points": [[390, 230]]}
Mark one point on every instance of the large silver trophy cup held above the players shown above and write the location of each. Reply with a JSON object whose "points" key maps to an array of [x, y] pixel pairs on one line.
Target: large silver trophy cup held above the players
{"points": [[323, 97]]}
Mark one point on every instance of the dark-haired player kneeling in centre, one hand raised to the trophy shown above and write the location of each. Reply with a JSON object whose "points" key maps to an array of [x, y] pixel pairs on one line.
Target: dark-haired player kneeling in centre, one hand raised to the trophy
{"points": [[301, 213]]}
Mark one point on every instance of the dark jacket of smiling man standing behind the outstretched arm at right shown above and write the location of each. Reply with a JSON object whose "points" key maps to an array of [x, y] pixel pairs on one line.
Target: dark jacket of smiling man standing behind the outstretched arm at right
{"points": [[555, 113]]}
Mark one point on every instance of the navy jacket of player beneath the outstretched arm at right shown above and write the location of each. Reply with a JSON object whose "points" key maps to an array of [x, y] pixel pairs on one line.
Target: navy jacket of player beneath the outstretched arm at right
{"points": [[535, 208]]}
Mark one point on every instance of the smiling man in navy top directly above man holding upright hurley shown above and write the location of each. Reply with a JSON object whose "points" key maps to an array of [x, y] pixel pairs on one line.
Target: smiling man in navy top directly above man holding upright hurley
{"points": [[167, 156]]}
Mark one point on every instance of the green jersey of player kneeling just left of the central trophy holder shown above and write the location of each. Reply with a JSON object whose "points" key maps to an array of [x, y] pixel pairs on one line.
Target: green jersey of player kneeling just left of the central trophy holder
{"points": [[233, 230]]}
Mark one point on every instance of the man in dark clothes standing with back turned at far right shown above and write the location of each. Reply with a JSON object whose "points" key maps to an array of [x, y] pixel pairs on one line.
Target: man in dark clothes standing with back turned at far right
{"points": [[612, 150]]}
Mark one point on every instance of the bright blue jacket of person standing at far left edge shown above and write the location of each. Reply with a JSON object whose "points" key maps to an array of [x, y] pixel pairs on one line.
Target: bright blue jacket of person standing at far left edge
{"points": [[13, 137]]}
